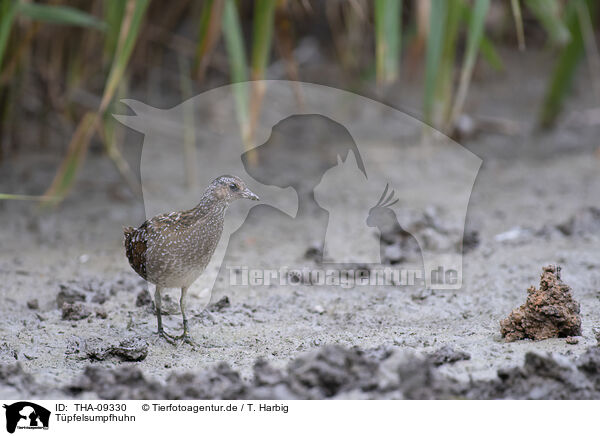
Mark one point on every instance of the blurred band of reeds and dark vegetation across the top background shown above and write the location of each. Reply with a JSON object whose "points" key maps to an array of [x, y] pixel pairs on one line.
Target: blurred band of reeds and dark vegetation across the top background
{"points": [[65, 64]]}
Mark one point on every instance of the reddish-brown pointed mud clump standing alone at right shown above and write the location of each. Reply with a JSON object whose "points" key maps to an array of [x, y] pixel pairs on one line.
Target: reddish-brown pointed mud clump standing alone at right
{"points": [[549, 311]]}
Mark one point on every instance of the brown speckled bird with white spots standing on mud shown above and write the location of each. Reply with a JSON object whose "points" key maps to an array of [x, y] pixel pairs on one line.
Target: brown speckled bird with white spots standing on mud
{"points": [[172, 250]]}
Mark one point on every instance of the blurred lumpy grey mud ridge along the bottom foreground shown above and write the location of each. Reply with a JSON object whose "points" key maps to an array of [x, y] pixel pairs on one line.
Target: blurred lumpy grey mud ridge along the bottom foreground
{"points": [[340, 373]]}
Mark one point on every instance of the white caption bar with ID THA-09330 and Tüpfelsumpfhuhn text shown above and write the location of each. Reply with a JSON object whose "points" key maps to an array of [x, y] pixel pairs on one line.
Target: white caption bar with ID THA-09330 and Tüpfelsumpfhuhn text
{"points": [[297, 417]]}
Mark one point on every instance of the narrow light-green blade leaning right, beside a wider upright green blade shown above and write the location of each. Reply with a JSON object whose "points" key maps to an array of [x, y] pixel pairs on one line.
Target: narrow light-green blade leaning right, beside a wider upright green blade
{"points": [[476, 26]]}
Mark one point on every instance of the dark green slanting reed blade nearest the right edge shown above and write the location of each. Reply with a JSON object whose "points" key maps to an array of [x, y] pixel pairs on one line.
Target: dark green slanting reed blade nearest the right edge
{"points": [[565, 67]]}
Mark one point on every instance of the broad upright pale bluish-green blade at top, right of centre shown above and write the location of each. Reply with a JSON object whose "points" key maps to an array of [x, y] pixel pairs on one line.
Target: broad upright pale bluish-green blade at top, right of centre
{"points": [[387, 39]]}
